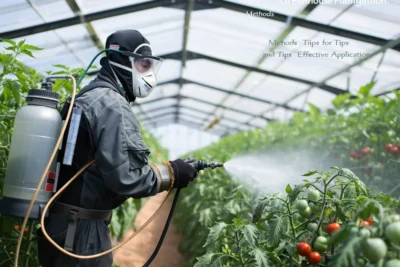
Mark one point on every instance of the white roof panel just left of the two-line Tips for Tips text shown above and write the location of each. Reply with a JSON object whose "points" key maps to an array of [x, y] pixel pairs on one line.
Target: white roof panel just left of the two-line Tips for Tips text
{"points": [[231, 35]]}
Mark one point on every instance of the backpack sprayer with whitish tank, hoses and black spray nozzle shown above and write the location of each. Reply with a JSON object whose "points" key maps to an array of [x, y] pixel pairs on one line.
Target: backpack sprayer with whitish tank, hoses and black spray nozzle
{"points": [[37, 136]]}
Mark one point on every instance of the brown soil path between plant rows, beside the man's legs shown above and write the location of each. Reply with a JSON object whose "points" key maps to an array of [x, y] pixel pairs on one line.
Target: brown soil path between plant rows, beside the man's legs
{"points": [[136, 252]]}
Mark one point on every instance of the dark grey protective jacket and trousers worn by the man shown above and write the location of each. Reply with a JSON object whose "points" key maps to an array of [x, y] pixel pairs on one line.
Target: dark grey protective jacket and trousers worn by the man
{"points": [[109, 132]]}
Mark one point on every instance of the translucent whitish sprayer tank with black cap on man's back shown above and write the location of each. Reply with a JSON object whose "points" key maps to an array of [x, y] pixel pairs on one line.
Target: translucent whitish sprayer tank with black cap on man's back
{"points": [[36, 130]]}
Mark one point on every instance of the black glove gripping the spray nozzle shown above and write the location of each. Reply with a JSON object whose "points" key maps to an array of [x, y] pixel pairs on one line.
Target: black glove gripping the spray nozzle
{"points": [[184, 173]]}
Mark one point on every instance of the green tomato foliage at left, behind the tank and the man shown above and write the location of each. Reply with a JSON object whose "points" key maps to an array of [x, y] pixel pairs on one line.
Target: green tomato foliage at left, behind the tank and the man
{"points": [[15, 81]]}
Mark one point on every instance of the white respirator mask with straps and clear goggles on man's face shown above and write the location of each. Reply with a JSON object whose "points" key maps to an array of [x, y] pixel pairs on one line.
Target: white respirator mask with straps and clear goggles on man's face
{"points": [[143, 69]]}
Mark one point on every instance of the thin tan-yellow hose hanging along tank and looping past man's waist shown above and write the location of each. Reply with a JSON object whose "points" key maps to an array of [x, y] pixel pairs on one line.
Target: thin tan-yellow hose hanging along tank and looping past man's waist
{"points": [[62, 189]]}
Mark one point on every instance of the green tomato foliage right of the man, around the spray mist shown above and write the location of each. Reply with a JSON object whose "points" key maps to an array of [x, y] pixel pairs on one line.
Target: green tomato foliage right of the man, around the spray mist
{"points": [[352, 134]]}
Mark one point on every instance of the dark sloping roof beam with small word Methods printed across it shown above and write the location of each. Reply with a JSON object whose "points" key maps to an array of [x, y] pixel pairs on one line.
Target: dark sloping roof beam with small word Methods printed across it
{"points": [[295, 21]]}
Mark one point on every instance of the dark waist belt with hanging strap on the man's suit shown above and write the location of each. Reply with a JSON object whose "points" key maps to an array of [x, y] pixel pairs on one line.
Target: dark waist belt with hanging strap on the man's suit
{"points": [[74, 213]]}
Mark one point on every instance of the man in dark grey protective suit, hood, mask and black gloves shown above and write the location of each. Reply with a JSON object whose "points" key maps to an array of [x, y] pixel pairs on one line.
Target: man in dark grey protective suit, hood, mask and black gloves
{"points": [[109, 133]]}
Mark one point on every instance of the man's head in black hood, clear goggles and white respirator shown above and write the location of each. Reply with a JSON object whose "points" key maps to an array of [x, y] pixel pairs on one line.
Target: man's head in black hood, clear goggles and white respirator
{"points": [[135, 69]]}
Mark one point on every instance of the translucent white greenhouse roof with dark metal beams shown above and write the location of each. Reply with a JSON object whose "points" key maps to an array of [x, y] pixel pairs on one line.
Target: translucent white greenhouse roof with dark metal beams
{"points": [[230, 60]]}
